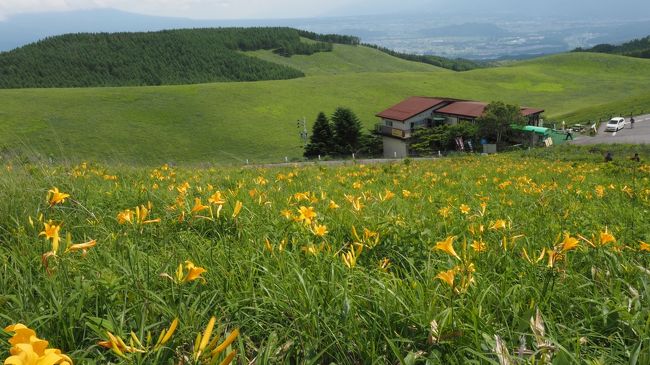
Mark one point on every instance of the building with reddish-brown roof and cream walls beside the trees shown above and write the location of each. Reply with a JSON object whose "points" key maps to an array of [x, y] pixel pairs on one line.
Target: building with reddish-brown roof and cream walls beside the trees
{"points": [[399, 122]]}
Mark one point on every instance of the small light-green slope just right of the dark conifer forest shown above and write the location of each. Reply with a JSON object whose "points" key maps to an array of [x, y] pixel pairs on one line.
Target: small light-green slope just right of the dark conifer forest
{"points": [[346, 59]]}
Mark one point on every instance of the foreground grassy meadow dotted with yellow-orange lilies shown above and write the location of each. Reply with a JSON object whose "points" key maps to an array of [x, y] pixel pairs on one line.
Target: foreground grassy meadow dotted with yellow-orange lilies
{"points": [[516, 258]]}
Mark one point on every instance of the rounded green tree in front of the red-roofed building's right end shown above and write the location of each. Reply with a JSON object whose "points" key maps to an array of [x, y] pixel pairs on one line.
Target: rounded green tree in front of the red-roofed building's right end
{"points": [[497, 118]]}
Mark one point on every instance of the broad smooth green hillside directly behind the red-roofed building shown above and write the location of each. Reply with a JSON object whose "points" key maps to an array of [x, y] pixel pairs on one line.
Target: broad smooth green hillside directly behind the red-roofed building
{"points": [[232, 122]]}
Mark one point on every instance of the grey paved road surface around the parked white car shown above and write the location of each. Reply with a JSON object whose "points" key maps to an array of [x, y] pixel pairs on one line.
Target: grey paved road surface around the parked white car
{"points": [[638, 135]]}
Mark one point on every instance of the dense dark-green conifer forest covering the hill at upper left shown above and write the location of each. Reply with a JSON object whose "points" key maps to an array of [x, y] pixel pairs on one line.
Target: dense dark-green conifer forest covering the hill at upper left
{"points": [[184, 56]]}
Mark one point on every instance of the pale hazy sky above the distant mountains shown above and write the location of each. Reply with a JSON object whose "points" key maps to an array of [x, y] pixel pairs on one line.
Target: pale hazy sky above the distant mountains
{"points": [[265, 9]]}
